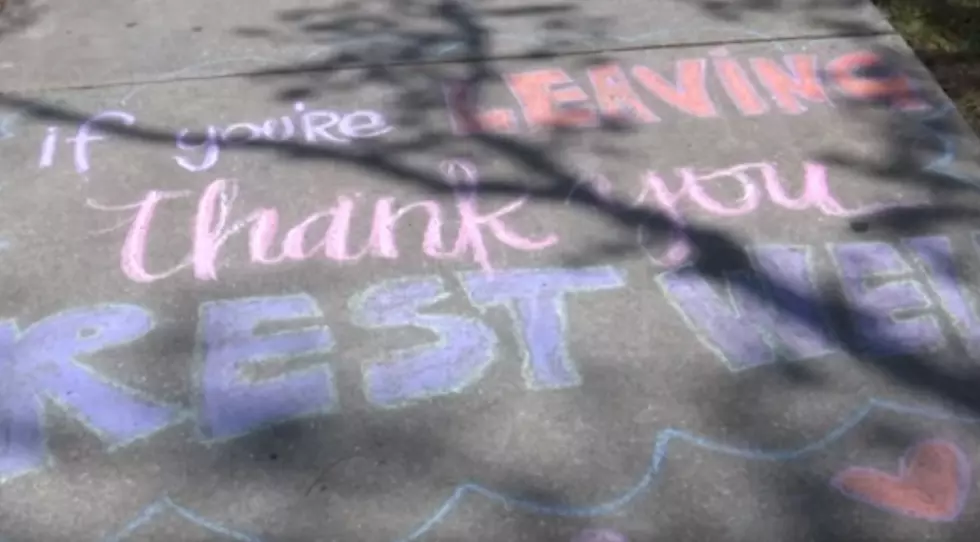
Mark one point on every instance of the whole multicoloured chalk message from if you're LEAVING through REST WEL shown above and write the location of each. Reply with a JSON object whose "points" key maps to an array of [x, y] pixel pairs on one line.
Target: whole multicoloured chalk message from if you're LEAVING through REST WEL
{"points": [[754, 318]]}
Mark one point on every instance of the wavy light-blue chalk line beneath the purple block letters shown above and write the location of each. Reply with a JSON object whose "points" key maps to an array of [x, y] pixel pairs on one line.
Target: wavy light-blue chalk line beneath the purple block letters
{"points": [[662, 441]]}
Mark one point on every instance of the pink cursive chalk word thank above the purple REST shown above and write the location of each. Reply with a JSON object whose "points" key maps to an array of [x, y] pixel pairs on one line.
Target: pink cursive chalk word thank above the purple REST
{"points": [[213, 226]]}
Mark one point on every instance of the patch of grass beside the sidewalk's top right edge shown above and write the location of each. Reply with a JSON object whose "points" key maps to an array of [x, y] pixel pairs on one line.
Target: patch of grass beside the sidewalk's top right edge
{"points": [[946, 36]]}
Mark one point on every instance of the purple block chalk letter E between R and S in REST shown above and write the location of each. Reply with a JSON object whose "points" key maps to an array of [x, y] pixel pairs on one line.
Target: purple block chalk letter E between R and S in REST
{"points": [[233, 404]]}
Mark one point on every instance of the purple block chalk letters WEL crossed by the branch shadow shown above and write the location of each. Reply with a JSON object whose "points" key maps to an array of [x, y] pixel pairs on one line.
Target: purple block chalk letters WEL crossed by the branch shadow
{"points": [[757, 321]]}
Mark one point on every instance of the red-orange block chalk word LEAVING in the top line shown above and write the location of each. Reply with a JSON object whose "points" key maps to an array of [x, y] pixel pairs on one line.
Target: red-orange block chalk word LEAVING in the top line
{"points": [[550, 97]]}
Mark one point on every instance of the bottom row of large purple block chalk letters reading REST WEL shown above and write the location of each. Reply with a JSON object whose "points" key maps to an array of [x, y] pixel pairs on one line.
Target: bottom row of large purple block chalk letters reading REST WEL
{"points": [[247, 380]]}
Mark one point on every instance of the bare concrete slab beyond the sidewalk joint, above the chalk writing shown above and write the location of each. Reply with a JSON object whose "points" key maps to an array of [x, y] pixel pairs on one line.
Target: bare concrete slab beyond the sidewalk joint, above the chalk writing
{"points": [[118, 41]]}
